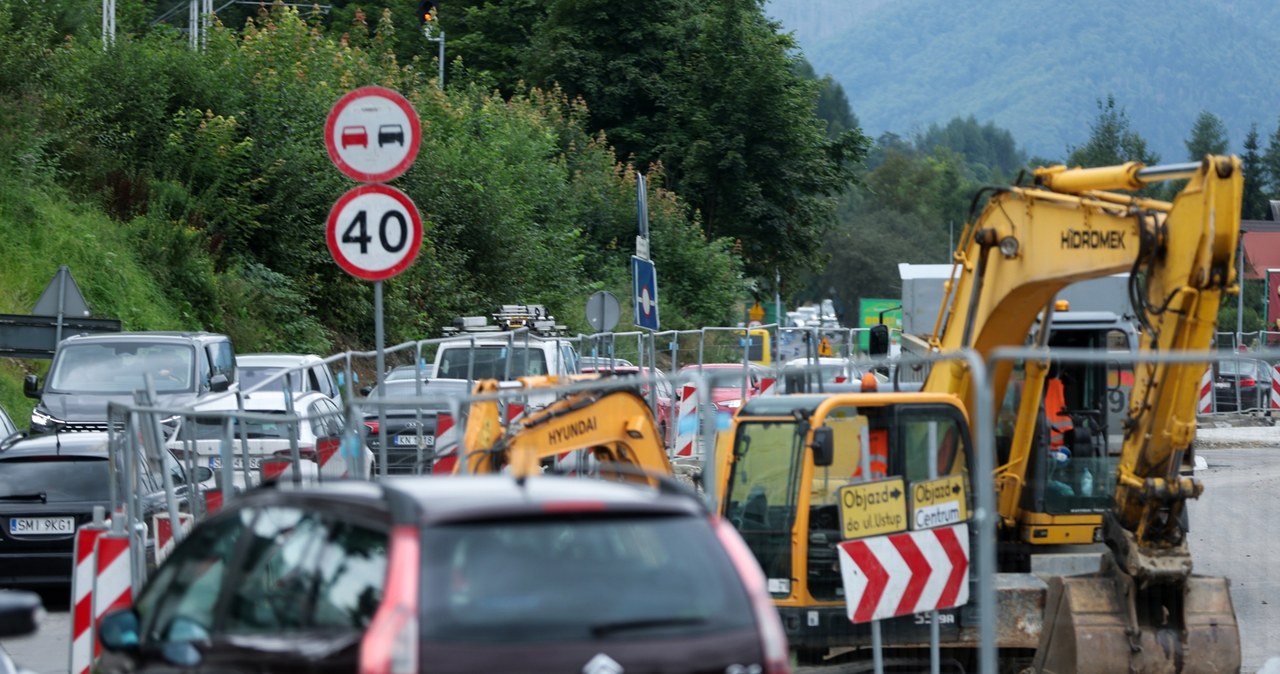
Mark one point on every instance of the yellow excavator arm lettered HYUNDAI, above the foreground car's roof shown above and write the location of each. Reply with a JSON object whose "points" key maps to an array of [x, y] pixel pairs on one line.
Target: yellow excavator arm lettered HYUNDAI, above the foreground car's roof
{"points": [[615, 425]]}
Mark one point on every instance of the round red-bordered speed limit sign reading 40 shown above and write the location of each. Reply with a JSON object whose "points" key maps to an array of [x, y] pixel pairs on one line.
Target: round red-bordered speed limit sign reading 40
{"points": [[374, 232]]}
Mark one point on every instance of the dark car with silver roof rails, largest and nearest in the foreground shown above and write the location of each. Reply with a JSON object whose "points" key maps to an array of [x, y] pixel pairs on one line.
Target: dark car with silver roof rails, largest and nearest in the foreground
{"points": [[463, 574]]}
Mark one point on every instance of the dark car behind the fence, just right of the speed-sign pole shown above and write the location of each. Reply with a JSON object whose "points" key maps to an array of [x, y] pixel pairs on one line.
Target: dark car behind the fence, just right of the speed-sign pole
{"points": [[412, 427]]}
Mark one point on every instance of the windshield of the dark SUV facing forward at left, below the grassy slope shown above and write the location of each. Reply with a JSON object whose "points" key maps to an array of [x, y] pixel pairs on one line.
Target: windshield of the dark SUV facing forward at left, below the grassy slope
{"points": [[120, 368]]}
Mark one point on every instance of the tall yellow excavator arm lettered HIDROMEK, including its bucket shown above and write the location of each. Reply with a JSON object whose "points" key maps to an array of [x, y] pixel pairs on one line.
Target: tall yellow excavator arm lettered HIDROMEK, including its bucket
{"points": [[1028, 245]]}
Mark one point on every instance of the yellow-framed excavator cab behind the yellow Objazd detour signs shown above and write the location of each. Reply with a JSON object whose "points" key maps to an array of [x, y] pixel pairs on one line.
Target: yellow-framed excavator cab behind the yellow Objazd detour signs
{"points": [[780, 473]]}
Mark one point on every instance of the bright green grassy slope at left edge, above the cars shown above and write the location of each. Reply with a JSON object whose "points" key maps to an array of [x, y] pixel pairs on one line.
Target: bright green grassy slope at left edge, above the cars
{"points": [[40, 230]]}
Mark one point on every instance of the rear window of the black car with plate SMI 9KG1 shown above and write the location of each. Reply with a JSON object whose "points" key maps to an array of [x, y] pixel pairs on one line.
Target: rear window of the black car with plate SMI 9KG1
{"points": [[61, 480]]}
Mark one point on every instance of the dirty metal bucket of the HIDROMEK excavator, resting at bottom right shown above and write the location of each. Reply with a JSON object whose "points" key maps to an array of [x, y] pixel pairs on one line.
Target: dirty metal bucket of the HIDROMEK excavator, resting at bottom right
{"points": [[1087, 629]]}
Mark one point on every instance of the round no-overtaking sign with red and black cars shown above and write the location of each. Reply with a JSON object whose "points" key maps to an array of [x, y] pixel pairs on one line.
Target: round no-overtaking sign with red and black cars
{"points": [[373, 135]]}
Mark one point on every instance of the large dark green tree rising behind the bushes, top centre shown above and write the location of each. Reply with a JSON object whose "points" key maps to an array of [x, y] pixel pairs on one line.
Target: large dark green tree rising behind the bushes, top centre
{"points": [[706, 88]]}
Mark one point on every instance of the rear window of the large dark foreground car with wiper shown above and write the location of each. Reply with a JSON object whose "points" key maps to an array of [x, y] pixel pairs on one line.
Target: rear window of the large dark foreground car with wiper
{"points": [[574, 580]]}
